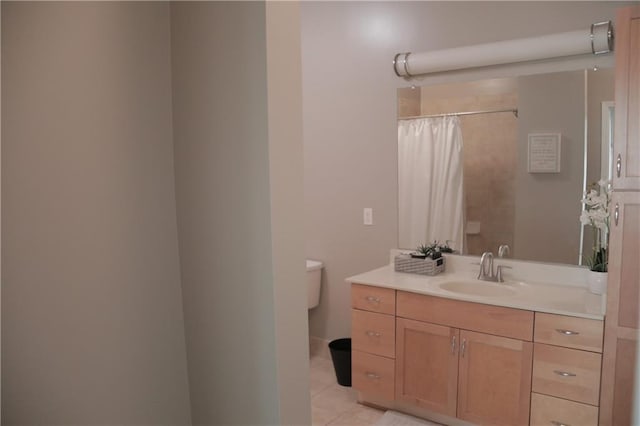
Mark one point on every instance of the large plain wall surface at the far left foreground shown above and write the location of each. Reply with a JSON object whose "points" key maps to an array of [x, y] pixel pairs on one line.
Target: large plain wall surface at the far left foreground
{"points": [[92, 328]]}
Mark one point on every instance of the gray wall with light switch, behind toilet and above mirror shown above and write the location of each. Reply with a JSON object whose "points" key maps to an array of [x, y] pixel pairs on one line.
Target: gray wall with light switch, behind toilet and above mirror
{"points": [[350, 115]]}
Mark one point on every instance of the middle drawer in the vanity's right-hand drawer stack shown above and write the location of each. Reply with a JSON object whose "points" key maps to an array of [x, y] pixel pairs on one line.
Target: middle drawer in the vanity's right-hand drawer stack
{"points": [[566, 373]]}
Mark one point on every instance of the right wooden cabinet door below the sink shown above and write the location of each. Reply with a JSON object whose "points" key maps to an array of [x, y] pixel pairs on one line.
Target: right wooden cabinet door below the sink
{"points": [[494, 383]]}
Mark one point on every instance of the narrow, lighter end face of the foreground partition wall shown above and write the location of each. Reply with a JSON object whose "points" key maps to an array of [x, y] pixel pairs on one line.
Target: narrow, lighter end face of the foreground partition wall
{"points": [[286, 170]]}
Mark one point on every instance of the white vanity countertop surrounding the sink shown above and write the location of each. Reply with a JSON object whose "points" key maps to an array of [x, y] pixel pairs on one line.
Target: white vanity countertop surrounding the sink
{"points": [[573, 300]]}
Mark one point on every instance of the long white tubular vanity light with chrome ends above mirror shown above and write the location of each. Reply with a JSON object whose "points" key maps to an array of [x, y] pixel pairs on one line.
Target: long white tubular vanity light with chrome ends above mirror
{"points": [[596, 40]]}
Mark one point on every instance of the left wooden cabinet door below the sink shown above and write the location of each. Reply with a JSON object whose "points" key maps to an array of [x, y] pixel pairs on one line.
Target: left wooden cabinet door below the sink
{"points": [[427, 365]]}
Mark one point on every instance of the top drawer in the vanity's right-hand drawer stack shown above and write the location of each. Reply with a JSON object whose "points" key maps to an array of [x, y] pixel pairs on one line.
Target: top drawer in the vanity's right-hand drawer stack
{"points": [[571, 332]]}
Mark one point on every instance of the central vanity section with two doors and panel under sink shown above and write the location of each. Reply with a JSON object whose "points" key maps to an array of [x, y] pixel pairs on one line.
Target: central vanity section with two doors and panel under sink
{"points": [[475, 376]]}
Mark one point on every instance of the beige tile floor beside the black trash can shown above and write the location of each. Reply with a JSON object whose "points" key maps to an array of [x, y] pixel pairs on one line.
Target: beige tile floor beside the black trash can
{"points": [[335, 405]]}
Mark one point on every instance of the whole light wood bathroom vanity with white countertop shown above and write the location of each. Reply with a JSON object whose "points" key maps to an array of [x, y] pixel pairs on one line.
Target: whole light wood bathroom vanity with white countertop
{"points": [[514, 353]]}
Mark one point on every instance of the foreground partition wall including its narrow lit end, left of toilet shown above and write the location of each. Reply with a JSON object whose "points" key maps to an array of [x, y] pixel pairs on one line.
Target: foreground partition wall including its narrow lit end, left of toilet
{"points": [[238, 160]]}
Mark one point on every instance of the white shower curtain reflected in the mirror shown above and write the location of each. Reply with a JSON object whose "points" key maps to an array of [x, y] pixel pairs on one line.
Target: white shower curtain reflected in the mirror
{"points": [[430, 174]]}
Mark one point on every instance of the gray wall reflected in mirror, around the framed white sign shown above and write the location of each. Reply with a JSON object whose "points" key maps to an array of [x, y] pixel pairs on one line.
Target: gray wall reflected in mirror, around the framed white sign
{"points": [[547, 226]]}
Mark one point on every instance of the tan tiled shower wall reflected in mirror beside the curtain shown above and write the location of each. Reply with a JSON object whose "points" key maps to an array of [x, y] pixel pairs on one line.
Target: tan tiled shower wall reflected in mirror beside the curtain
{"points": [[490, 150]]}
